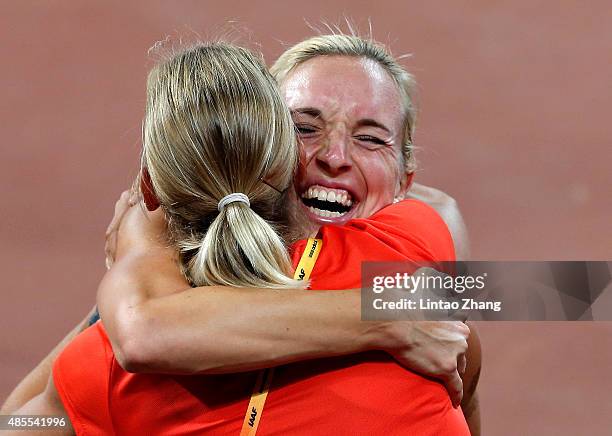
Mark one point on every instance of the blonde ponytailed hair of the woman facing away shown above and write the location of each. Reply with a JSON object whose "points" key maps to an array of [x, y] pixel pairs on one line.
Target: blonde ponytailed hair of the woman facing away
{"points": [[216, 124]]}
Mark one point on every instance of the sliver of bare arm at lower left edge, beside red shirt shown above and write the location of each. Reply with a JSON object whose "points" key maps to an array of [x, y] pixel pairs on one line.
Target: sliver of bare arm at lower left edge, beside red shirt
{"points": [[37, 380]]}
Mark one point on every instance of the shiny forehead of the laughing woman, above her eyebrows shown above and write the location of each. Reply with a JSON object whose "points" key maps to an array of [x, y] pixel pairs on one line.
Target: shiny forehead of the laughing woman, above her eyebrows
{"points": [[354, 87]]}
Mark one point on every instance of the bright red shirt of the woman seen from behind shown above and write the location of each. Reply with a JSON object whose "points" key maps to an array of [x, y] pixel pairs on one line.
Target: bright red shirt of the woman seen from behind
{"points": [[364, 394]]}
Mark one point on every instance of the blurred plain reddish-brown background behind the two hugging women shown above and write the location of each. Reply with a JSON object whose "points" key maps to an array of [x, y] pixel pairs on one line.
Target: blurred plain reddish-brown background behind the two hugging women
{"points": [[514, 123]]}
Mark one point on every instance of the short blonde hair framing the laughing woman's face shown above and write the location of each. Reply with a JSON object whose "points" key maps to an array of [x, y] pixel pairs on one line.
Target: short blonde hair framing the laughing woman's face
{"points": [[339, 44]]}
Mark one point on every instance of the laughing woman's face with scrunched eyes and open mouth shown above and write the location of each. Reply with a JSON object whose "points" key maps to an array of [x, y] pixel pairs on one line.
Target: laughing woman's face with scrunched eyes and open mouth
{"points": [[349, 119]]}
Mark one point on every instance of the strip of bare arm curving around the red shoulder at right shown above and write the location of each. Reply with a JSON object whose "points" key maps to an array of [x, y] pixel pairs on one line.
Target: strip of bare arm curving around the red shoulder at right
{"points": [[448, 209]]}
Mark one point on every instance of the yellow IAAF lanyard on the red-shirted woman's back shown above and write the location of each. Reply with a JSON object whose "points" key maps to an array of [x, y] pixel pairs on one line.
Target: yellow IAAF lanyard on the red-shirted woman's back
{"points": [[264, 378]]}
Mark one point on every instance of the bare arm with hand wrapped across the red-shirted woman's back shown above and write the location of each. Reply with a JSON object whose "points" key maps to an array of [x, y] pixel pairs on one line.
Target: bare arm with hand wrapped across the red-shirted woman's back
{"points": [[217, 329]]}
